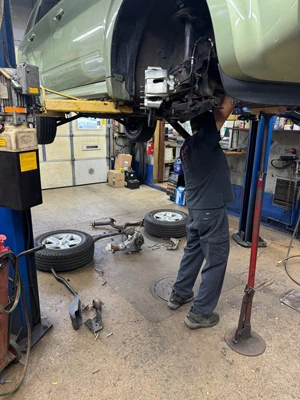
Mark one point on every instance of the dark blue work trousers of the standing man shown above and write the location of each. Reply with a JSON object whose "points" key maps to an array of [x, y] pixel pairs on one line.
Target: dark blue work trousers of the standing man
{"points": [[207, 238]]}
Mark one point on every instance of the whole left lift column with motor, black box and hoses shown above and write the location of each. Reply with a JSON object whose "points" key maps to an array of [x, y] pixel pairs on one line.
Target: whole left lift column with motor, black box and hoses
{"points": [[21, 323]]}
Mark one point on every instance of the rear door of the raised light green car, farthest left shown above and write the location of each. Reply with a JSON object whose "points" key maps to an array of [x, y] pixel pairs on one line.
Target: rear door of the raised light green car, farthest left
{"points": [[37, 47]]}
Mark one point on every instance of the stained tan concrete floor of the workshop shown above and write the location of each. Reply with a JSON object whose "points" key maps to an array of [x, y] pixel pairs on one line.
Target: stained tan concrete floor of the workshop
{"points": [[151, 354]]}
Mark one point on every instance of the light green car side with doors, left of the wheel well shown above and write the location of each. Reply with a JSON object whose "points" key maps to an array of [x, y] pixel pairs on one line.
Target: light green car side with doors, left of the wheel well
{"points": [[79, 66]]}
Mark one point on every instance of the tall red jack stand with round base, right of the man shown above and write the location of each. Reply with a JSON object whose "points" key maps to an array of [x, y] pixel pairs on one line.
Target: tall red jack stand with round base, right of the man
{"points": [[244, 340]]}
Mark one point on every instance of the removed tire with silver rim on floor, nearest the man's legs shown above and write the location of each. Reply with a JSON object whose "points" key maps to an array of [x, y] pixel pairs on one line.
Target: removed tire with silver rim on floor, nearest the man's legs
{"points": [[158, 223]]}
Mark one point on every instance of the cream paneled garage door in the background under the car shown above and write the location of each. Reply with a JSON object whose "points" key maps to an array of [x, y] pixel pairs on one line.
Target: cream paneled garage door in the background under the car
{"points": [[78, 155]]}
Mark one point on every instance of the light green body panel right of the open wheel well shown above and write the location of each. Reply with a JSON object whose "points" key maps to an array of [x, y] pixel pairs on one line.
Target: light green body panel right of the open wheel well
{"points": [[258, 40]]}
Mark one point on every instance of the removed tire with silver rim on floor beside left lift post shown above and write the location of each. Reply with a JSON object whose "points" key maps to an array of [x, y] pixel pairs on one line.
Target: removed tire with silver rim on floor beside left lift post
{"points": [[64, 257]]}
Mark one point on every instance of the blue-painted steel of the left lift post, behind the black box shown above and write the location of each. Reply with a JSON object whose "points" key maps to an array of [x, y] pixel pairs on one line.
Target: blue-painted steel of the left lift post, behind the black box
{"points": [[17, 225]]}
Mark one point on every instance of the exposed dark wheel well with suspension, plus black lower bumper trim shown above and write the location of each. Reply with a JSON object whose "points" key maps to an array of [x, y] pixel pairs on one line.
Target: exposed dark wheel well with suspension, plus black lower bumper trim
{"points": [[168, 60]]}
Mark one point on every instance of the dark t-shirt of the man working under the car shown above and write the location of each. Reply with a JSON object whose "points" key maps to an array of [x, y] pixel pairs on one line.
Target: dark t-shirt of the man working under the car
{"points": [[206, 171]]}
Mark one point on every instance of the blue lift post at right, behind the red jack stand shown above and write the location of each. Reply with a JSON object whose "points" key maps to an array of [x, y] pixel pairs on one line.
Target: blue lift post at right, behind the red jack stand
{"points": [[254, 155]]}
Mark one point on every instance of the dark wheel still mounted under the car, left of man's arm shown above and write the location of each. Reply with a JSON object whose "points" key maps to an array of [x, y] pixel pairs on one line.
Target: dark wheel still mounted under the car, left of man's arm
{"points": [[137, 130]]}
